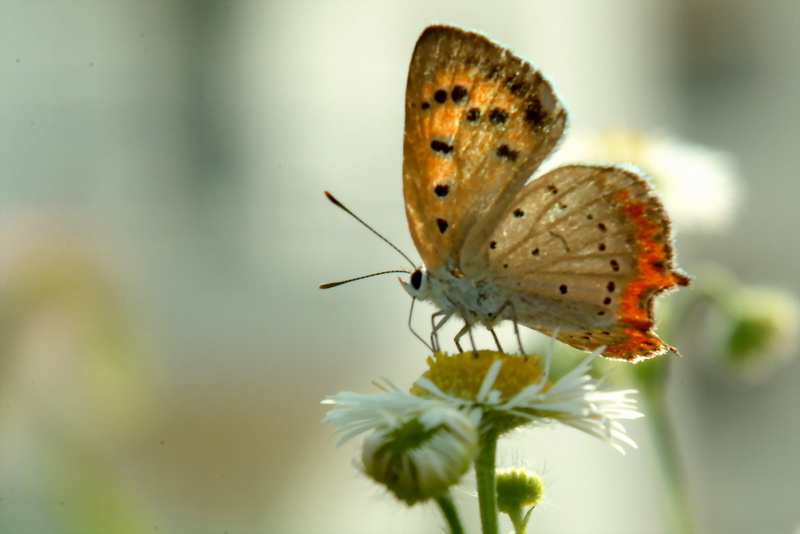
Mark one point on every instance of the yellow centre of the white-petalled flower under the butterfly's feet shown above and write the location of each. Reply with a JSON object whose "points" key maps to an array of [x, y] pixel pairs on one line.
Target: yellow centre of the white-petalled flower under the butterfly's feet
{"points": [[461, 375]]}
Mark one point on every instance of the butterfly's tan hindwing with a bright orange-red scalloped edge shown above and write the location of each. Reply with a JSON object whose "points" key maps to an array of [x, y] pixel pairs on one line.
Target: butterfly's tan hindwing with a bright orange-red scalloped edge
{"points": [[584, 249]]}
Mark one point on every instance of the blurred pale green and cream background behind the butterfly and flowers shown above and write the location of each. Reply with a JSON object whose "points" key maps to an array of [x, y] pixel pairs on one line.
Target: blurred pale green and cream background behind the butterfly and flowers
{"points": [[164, 345]]}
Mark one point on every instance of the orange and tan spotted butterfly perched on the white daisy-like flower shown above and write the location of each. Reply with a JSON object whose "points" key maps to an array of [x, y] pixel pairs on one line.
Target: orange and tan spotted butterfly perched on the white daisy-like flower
{"points": [[580, 252]]}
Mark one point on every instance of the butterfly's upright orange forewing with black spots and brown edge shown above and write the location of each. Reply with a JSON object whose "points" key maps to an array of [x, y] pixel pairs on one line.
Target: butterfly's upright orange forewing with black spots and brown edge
{"points": [[479, 121]]}
